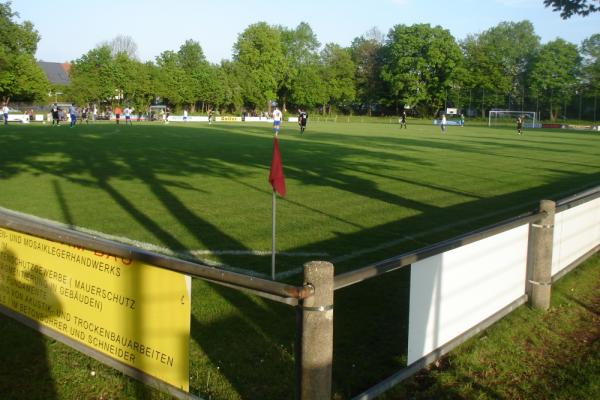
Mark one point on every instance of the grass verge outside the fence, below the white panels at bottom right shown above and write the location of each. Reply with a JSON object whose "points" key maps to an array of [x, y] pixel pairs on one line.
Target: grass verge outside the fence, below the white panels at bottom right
{"points": [[527, 355]]}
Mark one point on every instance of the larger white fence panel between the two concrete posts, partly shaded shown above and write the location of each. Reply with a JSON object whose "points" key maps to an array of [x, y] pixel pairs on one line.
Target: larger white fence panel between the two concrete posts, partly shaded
{"points": [[452, 292]]}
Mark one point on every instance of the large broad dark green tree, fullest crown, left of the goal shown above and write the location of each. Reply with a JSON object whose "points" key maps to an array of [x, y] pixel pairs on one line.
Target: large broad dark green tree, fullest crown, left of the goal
{"points": [[419, 66]]}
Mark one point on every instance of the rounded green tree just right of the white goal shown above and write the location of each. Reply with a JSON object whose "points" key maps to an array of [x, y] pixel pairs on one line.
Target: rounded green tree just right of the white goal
{"points": [[554, 75]]}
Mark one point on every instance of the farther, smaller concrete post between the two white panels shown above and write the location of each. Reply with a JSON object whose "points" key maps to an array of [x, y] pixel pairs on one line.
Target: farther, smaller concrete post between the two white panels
{"points": [[541, 273]]}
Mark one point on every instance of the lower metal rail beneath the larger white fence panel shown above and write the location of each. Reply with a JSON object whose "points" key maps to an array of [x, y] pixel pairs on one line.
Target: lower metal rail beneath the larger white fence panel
{"points": [[435, 355]]}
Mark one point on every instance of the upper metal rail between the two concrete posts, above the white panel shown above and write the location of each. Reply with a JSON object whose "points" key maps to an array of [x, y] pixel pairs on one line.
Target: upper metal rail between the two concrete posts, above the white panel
{"points": [[394, 263]]}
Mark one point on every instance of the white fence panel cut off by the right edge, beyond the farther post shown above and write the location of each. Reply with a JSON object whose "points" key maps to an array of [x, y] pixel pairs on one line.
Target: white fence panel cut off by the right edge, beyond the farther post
{"points": [[576, 231]]}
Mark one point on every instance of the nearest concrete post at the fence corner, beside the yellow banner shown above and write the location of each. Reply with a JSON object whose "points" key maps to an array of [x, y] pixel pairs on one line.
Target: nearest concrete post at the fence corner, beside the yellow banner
{"points": [[317, 333]]}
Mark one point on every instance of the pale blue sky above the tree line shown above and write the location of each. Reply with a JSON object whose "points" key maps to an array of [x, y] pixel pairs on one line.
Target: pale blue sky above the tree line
{"points": [[71, 29]]}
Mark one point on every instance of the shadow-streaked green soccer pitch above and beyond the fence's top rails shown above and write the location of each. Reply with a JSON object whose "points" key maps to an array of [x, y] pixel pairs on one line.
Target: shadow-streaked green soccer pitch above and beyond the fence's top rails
{"points": [[356, 193]]}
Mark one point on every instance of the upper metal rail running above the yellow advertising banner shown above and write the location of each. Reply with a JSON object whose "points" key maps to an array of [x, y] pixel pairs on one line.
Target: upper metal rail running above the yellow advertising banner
{"points": [[44, 229]]}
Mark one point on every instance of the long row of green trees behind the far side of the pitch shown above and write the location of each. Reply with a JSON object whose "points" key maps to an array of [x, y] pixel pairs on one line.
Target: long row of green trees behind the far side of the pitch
{"points": [[419, 68]]}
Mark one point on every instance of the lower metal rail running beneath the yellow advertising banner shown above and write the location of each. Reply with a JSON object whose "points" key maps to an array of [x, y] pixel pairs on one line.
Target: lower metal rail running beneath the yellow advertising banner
{"points": [[101, 357]]}
